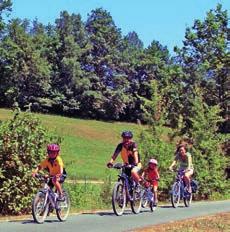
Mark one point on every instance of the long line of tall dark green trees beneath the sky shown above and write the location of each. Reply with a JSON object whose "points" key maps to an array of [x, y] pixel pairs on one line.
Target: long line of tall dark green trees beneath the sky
{"points": [[88, 69]]}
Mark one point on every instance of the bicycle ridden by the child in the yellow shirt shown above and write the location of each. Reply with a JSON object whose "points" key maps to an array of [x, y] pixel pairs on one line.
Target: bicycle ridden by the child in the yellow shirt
{"points": [[46, 200]]}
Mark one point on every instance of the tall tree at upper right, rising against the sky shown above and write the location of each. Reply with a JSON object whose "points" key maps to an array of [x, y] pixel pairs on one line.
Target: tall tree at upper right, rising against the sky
{"points": [[205, 59]]}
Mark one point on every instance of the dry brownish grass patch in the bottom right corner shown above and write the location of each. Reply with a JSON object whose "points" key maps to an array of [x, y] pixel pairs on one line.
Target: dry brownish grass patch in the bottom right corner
{"points": [[215, 223]]}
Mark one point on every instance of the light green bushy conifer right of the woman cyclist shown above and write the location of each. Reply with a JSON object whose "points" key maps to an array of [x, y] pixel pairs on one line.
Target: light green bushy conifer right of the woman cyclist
{"points": [[210, 162]]}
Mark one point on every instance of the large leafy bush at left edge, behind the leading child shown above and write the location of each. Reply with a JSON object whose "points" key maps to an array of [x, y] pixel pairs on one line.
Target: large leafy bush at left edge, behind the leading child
{"points": [[22, 143]]}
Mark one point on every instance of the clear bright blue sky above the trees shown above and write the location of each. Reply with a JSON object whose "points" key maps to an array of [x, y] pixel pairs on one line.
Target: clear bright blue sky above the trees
{"points": [[161, 20]]}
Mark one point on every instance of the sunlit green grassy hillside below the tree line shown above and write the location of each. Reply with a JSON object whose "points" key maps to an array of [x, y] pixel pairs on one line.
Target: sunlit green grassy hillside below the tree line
{"points": [[87, 144]]}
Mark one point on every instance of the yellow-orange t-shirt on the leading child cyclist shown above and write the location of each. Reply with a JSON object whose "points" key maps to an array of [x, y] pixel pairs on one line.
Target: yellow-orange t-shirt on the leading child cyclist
{"points": [[54, 167]]}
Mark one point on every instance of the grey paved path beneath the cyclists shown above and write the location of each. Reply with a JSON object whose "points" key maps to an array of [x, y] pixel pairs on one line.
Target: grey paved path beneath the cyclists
{"points": [[107, 221]]}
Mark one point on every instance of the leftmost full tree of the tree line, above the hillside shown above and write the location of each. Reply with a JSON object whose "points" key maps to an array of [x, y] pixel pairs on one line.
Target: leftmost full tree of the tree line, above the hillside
{"points": [[24, 72]]}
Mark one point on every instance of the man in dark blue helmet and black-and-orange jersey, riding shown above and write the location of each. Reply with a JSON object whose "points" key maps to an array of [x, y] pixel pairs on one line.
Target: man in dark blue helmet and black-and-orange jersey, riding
{"points": [[129, 155]]}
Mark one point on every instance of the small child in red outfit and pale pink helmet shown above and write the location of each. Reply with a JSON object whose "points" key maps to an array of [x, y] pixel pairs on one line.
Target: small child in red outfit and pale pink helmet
{"points": [[151, 176]]}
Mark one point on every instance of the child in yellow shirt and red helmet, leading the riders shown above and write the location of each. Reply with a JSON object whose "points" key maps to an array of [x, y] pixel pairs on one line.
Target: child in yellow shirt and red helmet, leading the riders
{"points": [[54, 164]]}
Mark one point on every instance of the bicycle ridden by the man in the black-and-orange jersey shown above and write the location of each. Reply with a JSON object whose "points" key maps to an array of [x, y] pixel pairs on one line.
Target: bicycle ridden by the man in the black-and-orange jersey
{"points": [[125, 190]]}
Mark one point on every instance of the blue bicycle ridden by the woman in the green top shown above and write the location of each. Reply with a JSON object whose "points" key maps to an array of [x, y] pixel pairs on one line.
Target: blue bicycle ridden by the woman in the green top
{"points": [[180, 191]]}
